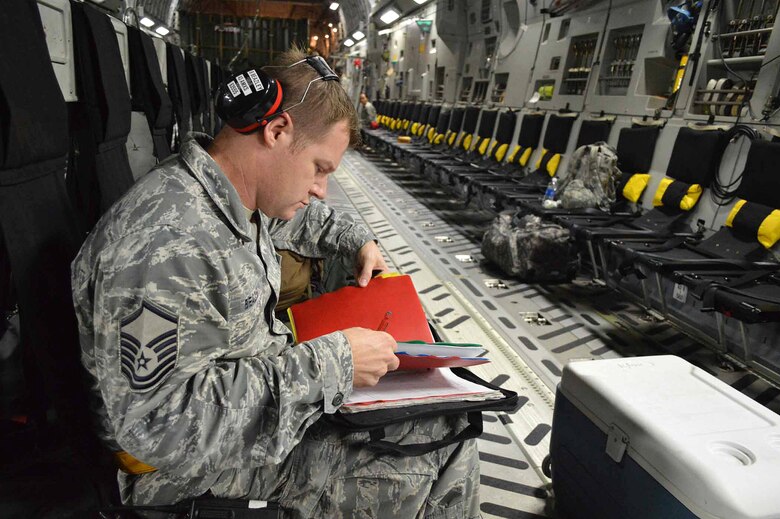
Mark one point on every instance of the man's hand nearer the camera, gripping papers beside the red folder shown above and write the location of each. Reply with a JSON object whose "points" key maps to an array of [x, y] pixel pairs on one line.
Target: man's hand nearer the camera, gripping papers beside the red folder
{"points": [[373, 355]]}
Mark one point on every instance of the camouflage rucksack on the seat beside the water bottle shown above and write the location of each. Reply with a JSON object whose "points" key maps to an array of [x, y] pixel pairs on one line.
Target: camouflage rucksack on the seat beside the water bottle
{"points": [[590, 178]]}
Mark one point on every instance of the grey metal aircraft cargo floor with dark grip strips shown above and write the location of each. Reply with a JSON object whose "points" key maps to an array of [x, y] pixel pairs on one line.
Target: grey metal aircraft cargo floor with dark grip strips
{"points": [[530, 330]]}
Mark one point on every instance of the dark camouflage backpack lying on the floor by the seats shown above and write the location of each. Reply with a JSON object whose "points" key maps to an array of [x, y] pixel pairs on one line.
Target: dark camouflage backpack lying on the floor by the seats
{"points": [[530, 249]]}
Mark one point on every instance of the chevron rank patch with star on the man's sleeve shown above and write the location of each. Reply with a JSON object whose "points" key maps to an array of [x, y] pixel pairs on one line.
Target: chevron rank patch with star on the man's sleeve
{"points": [[148, 347]]}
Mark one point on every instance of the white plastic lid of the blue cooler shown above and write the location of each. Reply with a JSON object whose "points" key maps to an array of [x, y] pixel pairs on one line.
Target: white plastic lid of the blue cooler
{"points": [[712, 447]]}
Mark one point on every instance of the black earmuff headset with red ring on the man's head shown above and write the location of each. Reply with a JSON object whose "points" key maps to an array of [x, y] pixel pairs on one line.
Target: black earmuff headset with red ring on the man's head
{"points": [[248, 100]]}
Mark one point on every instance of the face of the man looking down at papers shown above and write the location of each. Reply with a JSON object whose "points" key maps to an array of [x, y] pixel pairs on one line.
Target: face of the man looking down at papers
{"points": [[303, 172]]}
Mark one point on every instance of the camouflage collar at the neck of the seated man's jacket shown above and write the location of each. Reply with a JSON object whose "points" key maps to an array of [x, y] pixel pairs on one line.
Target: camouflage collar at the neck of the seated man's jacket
{"points": [[217, 186]]}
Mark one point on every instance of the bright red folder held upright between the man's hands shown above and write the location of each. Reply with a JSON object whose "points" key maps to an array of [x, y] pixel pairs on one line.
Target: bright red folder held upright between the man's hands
{"points": [[365, 307]]}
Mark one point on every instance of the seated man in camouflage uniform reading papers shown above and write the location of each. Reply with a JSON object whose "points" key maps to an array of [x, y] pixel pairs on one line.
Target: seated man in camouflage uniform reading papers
{"points": [[198, 387]]}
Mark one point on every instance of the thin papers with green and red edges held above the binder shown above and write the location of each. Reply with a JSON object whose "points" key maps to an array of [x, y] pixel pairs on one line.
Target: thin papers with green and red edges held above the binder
{"points": [[420, 355]]}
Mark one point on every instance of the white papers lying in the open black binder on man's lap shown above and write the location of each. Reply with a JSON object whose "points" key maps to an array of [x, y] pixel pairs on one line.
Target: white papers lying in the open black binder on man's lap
{"points": [[407, 388]]}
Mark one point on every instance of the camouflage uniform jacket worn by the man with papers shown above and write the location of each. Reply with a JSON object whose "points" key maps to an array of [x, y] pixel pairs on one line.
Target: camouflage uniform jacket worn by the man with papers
{"points": [[175, 301]]}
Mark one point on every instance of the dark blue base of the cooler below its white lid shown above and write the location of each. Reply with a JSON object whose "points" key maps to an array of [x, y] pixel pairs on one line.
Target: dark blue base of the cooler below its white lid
{"points": [[588, 484]]}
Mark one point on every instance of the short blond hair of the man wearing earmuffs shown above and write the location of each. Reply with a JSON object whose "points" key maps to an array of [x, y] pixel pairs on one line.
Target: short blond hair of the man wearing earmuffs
{"points": [[326, 102]]}
